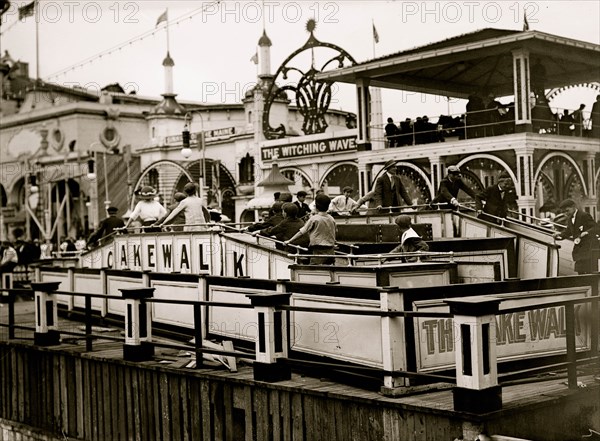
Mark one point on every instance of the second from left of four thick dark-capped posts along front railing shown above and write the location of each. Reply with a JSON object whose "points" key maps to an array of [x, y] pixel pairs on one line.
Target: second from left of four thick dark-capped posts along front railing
{"points": [[138, 324]]}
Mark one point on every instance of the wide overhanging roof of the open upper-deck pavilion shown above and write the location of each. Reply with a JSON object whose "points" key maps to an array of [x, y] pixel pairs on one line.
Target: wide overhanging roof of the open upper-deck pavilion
{"points": [[477, 61]]}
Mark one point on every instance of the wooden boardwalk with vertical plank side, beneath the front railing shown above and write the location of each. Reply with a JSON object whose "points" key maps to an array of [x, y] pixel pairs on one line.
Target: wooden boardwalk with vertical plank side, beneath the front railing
{"points": [[96, 395]]}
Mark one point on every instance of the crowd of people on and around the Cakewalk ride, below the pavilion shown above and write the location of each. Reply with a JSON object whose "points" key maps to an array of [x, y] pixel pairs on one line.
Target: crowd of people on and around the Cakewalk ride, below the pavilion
{"points": [[295, 223]]}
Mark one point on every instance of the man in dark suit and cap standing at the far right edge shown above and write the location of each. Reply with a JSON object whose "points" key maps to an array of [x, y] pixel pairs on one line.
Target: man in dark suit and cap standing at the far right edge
{"points": [[582, 229]]}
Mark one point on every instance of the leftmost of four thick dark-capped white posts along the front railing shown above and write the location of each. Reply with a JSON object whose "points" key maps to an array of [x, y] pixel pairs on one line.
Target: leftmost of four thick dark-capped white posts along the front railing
{"points": [[46, 314]]}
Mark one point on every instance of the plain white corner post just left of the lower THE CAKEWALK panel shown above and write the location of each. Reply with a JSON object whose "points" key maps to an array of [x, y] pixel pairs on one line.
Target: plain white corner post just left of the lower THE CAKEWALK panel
{"points": [[393, 339]]}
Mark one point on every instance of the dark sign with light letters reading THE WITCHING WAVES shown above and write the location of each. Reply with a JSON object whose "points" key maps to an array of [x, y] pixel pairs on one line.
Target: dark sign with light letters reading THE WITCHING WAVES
{"points": [[322, 147]]}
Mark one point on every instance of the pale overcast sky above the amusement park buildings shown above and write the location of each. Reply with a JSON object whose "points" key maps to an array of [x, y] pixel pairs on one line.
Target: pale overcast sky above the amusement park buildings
{"points": [[212, 47]]}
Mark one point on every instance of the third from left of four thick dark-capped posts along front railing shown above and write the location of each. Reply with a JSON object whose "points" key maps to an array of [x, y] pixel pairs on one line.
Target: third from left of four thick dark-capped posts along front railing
{"points": [[272, 341]]}
